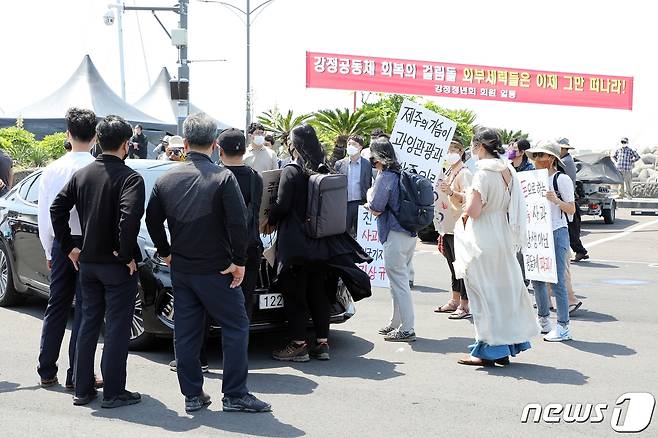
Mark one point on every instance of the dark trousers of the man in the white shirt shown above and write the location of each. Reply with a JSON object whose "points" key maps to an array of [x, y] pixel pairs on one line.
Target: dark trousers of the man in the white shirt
{"points": [[64, 286]]}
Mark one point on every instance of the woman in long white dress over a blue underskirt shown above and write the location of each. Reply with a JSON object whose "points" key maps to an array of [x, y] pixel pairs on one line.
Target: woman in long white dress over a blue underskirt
{"points": [[486, 248]]}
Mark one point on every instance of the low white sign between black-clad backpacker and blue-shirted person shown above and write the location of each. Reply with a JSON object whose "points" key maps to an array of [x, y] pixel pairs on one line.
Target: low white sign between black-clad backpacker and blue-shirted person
{"points": [[368, 238]]}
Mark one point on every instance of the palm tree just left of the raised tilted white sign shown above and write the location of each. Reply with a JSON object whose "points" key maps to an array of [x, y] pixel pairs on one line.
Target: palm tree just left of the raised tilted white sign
{"points": [[341, 124]]}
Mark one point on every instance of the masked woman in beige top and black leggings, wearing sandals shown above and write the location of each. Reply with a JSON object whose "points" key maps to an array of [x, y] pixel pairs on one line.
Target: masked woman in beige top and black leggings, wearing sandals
{"points": [[447, 210]]}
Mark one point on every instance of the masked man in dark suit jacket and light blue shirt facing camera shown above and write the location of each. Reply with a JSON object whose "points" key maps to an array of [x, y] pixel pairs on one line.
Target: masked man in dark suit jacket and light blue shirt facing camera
{"points": [[359, 179]]}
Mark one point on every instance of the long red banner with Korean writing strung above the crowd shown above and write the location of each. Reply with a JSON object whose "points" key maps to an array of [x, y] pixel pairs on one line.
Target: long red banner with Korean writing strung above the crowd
{"points": [[388, 75]]}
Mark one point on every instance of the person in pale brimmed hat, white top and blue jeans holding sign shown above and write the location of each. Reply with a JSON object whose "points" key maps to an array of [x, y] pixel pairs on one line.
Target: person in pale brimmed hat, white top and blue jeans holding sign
{"points": [[546, 155]]}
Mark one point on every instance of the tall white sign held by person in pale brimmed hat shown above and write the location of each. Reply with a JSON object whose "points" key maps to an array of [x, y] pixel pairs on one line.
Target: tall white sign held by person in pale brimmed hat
{"points": [[539, 254]]}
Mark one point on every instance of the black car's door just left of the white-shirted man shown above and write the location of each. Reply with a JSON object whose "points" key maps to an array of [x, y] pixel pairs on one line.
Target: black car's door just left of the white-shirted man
{"points": [[30, 258]]}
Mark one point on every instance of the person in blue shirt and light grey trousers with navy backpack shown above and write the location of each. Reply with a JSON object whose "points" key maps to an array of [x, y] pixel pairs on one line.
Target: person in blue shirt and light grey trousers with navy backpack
{"points": [[399, 244]]}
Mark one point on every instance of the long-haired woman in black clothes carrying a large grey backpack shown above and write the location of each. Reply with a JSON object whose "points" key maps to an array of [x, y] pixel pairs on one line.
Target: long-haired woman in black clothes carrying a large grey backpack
{"points": [[308, 268]]}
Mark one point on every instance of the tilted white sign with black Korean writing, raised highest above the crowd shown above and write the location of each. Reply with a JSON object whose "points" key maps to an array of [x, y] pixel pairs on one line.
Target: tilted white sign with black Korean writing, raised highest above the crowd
{"points": [[421, 138]]}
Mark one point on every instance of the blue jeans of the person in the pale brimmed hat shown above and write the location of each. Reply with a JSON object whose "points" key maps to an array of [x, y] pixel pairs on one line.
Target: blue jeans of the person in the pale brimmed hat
{"points": [[561, 243]]}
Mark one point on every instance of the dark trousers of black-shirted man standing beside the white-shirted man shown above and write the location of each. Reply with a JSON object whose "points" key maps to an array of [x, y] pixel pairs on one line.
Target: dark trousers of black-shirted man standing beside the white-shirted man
{"points": [[108, 292]]}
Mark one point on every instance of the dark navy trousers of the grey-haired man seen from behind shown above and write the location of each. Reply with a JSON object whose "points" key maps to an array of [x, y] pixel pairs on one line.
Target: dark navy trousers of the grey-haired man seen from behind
{"points": [[197, 294]]}
